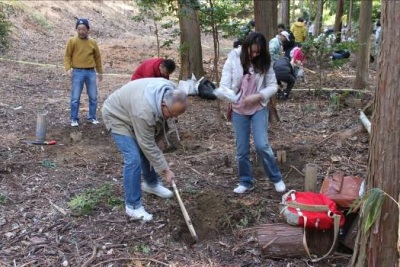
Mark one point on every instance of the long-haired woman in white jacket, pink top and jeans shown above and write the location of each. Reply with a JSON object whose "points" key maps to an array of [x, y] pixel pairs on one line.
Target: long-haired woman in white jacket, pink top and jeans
{"points": [[248, 72]]}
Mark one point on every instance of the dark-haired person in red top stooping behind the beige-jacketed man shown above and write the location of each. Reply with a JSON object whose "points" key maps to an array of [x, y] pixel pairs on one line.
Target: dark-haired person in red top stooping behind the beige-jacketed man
{"points": [[153, 68]]}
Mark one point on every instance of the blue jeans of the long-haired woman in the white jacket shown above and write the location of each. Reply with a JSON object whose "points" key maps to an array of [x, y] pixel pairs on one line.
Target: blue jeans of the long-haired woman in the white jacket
{"points": [[242, 125]]}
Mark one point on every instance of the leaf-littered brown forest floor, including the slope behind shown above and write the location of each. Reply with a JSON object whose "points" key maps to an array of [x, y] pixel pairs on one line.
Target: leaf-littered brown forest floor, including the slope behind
{"points": [[38, 227]]}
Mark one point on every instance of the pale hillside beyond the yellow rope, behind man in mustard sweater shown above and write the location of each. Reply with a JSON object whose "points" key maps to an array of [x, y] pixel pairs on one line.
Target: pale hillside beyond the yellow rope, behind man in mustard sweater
{"points": [[42, 28]]}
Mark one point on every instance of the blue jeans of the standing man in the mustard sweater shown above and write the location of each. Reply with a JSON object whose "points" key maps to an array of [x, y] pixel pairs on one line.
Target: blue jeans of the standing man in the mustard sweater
{"points": [[79, 78]]}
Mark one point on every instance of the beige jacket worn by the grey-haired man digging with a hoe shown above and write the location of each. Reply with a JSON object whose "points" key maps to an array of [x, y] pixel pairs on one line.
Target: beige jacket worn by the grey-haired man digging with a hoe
{"points": [[135, 110]]}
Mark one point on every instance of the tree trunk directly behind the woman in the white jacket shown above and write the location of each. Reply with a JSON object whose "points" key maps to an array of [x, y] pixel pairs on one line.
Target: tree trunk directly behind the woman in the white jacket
{"points": [[265, 18]]}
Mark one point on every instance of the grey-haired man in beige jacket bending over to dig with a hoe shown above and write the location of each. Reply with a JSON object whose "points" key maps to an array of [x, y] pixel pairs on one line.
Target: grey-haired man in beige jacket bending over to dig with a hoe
{"points": [[135, 114]]}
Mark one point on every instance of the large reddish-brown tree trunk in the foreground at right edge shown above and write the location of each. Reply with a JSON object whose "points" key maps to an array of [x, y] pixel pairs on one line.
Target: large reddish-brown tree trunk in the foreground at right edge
{"points": [[379, 247]]}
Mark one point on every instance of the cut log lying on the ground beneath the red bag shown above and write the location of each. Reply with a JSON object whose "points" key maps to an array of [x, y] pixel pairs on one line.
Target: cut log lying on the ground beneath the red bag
{"points": [[282, 240]]}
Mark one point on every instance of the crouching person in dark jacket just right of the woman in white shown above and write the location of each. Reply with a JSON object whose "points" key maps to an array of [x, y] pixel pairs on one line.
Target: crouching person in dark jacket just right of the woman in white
{"points": [[284, 73]]}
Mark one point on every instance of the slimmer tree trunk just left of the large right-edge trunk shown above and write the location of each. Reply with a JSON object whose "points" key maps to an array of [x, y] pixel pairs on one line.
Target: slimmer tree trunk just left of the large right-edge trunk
{"points": [[362, 69]]}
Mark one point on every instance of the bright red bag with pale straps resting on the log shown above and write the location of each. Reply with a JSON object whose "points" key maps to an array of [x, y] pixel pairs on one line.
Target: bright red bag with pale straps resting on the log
{"points": [[311, 210]]}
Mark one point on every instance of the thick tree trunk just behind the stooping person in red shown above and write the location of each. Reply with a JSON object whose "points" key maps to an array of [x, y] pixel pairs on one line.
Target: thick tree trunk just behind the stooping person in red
{"points": [[190, 41]]}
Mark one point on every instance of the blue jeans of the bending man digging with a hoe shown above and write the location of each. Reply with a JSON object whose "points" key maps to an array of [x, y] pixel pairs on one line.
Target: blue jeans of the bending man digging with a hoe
{"points": [[135, 164]]}
